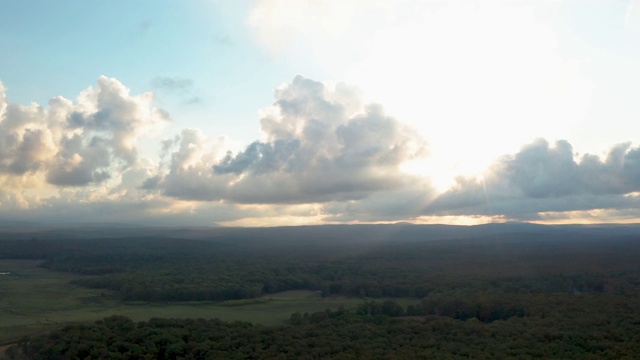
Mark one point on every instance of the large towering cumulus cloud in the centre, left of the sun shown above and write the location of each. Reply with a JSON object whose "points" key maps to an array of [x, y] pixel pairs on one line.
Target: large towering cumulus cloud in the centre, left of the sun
{"points": [[318, 145]]}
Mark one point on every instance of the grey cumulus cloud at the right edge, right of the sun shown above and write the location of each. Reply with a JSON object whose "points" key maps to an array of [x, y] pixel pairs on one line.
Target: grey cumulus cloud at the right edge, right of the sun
{"points": [[542, 179]]}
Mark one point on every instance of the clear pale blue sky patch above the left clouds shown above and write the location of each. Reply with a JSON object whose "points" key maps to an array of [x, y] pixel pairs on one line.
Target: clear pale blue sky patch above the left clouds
{"points": [[61, 47]]}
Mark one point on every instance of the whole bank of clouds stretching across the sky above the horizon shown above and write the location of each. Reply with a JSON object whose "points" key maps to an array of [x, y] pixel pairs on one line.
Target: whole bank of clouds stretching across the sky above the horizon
{"points": [[324, 156]]}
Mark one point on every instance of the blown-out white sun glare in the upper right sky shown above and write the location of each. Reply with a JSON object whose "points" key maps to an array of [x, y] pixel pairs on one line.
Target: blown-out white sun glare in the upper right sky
{"points": [[484, 76]]}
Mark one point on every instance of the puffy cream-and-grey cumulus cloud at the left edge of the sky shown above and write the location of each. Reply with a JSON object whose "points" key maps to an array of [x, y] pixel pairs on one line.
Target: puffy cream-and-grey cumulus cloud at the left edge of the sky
{"points": [[76, 144]]}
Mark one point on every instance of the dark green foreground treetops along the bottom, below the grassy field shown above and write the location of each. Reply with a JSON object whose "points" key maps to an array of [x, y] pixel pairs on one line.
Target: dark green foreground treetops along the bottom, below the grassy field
{"points": [[375, 330]]}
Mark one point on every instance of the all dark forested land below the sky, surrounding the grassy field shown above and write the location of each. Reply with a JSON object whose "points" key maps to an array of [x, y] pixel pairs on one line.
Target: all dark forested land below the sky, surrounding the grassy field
{"points": [[492, 291]]}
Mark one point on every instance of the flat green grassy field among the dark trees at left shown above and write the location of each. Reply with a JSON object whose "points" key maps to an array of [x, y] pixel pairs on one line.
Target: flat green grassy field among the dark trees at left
{"points": [[35, 300]]}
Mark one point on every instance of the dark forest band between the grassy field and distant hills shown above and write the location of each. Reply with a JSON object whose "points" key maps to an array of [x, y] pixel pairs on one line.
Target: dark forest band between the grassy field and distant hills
{"points": [[190, 270]]}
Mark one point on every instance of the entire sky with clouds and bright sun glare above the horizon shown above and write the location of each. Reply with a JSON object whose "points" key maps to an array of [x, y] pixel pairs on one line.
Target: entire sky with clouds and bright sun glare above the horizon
{"points": [[283, 112]]}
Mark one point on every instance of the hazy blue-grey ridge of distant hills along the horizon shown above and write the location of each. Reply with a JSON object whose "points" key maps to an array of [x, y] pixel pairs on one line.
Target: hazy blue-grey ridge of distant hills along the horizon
{"points": [[366, 232]]}
